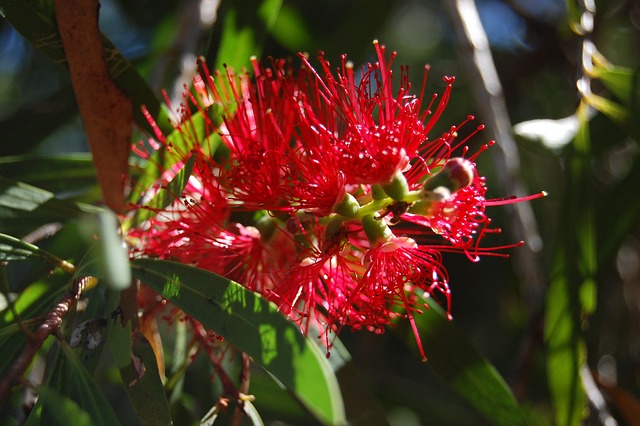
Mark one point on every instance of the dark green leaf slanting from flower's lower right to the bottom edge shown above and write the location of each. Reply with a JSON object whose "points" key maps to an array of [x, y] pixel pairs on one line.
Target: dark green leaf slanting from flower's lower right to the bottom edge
{"points": [[457, 362]]}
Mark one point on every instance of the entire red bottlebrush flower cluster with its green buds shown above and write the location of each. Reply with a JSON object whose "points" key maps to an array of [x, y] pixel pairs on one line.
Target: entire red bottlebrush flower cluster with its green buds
{"points": [[322, 190]]}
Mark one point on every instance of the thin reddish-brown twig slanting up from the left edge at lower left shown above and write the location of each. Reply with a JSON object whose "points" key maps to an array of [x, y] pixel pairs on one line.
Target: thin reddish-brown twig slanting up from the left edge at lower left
{"points": [[49, 325]]}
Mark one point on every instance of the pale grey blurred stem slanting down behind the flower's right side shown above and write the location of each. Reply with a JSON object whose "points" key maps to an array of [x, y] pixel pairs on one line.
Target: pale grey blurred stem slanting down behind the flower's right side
{"points": [[487, 90]]}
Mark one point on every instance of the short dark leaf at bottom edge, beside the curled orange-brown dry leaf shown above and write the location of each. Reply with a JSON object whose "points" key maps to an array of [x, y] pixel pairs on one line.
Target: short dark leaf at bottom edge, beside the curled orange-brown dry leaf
{"points": [[143, 384]]}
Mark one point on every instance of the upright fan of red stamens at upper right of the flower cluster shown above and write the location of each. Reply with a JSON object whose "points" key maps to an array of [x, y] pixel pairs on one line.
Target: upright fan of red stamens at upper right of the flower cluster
{"points": [[372, 130]]}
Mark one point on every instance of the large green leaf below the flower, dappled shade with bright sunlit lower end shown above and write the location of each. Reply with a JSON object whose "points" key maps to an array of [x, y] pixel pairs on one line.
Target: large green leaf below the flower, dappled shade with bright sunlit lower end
{"points": [[254, 326]]}
